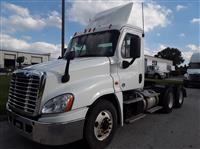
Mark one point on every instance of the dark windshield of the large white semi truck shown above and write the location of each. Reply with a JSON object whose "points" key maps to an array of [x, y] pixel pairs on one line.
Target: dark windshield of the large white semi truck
{"points": [[100, 44]]}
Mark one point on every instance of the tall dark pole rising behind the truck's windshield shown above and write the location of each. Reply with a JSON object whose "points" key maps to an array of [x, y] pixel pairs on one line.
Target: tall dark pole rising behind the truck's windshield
{"points": [[63, 29]]}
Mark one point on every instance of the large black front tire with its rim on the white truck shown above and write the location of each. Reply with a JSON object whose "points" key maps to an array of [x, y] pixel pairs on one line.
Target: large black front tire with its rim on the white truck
{"points": [[100, 125]]}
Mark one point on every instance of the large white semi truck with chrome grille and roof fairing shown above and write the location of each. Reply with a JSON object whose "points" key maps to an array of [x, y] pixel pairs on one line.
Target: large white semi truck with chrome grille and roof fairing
{"points": [[97, 86]]}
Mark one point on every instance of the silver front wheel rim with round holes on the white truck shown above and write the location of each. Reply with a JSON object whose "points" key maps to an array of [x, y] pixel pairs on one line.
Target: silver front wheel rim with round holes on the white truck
{"points": [[103, 125]]}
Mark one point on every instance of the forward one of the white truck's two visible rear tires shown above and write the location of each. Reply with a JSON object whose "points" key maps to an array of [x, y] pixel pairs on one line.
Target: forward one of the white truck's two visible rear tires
{"points": [[168, 100]]}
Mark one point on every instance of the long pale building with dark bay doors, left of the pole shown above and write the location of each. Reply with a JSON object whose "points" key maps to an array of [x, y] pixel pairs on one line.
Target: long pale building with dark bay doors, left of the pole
{"points": [[8, 58]]}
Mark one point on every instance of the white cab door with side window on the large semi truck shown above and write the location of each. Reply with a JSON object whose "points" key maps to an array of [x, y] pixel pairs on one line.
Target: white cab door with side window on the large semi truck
{"points": [[130, 50]]}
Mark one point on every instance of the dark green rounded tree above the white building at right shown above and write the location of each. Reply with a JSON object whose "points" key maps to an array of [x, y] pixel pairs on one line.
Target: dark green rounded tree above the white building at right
{"points": [[173, 54]]}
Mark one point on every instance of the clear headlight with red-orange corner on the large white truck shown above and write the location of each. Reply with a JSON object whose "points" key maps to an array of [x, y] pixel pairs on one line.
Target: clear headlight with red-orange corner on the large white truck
{"points": [[62, 103]]}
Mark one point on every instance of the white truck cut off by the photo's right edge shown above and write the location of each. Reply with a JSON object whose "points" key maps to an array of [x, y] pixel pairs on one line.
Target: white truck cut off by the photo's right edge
{"points": [[192, 77]]}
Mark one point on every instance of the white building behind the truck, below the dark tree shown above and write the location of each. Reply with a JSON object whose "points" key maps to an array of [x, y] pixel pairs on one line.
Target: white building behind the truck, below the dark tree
{"points": [[164, 65]]}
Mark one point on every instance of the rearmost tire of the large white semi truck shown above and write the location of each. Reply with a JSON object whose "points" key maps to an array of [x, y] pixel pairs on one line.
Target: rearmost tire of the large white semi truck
{"points": [[179, 98]]}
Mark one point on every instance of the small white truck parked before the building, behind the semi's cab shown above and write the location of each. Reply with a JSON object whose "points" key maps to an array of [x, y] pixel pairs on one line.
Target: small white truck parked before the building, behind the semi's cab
{"points": [[154, 72]]}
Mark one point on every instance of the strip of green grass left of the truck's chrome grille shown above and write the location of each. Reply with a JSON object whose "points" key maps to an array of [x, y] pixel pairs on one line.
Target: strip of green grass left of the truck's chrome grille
{"points": [[4, 87]]}
